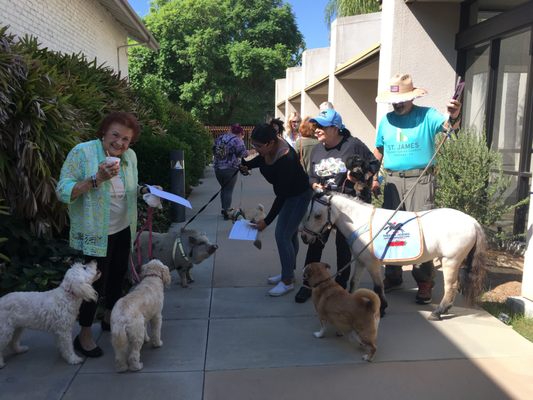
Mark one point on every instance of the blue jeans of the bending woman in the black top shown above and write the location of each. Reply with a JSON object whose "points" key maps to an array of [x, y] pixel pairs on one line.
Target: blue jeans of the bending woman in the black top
{"points": [[289, 218]]}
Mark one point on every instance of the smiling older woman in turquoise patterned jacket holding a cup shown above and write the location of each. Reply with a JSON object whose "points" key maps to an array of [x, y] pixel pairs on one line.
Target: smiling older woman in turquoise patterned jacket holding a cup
{"points": [[102, 203]]}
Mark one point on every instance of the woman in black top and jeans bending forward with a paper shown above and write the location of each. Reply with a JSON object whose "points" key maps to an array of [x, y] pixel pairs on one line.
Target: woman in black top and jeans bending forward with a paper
{"points": [[279, 164]]}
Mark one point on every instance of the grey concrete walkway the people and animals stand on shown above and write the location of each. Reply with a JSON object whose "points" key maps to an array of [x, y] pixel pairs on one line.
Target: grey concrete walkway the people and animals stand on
{"points": [[225, 338]]}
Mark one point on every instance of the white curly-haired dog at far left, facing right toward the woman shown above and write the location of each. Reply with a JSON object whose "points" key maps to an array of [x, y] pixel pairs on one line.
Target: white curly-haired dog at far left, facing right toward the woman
{"points": [[53, 311]]}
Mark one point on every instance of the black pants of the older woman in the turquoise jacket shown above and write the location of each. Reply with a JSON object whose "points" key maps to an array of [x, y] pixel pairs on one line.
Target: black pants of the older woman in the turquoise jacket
{"points": [[113, 268]]}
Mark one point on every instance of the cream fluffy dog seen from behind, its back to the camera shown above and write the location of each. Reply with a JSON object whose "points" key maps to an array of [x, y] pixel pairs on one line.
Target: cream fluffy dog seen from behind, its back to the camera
{"points": [[133, 312]]}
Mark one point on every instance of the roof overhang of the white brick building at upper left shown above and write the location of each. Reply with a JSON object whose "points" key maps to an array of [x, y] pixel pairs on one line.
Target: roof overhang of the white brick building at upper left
{"points": [[130, 21]]}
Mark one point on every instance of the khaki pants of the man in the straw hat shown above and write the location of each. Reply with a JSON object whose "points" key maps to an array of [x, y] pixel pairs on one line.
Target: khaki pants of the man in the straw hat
{"points": [[421, 198]]}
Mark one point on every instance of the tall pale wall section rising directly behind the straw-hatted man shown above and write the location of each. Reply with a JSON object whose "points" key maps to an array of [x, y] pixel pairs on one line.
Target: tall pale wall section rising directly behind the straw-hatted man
{"points": [[418, 39]]}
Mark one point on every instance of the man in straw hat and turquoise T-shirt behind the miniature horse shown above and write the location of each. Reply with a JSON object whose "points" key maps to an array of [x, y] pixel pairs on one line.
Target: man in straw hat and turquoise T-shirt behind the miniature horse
{"points": [[405, 143]]}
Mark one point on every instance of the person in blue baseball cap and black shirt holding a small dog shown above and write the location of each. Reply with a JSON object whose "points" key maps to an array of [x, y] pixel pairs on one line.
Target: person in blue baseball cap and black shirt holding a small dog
{"points": [[335, 142]]}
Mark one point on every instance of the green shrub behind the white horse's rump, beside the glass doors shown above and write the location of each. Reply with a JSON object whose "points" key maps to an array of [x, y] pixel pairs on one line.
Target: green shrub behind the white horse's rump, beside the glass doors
{"points": [[470, 178]]}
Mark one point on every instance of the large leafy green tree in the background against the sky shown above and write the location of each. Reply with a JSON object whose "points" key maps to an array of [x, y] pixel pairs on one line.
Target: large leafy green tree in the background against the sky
{"points": [[219, 58]]}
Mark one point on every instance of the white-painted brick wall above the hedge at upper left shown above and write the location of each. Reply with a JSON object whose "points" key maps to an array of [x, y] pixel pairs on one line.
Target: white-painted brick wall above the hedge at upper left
{"points": [[69, 26]]}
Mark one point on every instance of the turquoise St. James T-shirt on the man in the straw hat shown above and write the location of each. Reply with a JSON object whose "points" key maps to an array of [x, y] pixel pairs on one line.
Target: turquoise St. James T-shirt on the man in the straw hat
{"points": [[408, 141]]}
